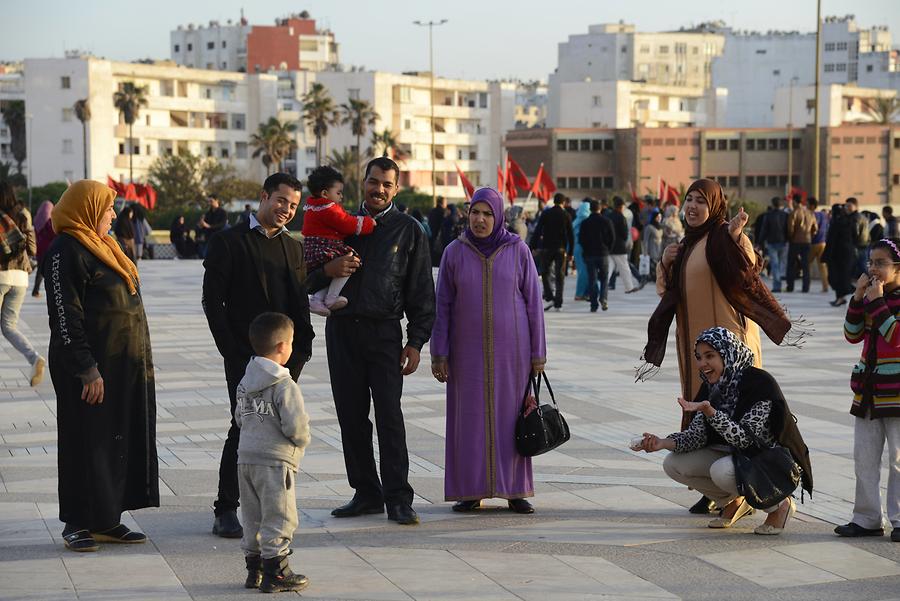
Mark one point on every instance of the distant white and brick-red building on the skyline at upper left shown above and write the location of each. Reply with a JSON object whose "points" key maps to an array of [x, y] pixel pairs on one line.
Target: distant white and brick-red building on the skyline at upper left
{"points": [[292, 43]]}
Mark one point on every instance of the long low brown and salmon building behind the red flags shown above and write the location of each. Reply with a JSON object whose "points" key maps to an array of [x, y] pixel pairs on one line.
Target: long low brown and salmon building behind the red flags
{"points": [[752, 164]]}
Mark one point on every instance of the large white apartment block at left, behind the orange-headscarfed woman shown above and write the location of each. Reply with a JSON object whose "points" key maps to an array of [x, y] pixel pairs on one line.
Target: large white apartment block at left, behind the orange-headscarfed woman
{"points": [[205, 113]]}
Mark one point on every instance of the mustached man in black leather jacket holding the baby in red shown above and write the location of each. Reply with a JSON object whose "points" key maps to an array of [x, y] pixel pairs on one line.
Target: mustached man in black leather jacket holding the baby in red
{"points": [[366, 355]]}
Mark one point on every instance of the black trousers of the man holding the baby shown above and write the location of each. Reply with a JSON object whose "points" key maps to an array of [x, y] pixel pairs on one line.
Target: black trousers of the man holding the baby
{"points": [[364, 363]]}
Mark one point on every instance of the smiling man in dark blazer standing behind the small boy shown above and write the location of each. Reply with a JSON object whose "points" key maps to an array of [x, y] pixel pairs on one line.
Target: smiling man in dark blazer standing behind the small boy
{"points": [[253, 268]]}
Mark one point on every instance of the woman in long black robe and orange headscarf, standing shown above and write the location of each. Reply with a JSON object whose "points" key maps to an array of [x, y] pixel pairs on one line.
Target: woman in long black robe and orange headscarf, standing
{"points": [[102, 372]]}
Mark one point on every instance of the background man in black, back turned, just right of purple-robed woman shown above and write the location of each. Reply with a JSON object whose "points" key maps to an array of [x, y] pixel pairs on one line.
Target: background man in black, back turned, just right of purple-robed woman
{"points": [[554, 238]]}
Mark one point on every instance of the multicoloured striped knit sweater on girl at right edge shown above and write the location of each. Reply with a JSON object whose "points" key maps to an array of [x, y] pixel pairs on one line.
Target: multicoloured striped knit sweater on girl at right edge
{"points": [[875, 380]]}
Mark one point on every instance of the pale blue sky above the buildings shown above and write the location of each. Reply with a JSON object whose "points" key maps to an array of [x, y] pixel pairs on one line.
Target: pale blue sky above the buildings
{"points": [[483, 39]]}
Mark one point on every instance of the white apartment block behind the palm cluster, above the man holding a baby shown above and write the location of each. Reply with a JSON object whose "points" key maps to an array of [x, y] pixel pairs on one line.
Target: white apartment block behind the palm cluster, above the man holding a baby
{"points": [[471, 119]]}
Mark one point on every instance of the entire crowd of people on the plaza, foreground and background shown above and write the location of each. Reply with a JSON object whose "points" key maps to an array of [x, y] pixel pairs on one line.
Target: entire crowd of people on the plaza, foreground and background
{"points": [[485, 322]]}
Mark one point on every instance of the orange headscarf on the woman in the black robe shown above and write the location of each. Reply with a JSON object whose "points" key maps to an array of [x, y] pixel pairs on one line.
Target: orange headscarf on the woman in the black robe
{"points": [[78, 213]]}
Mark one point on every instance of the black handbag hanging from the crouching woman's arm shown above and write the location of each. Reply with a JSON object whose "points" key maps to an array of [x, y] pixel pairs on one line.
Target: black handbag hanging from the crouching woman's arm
{"points": [[765, 475]]}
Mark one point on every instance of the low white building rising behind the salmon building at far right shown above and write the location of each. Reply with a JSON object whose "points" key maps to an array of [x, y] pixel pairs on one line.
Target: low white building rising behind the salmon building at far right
{"points": [[838, 104]]}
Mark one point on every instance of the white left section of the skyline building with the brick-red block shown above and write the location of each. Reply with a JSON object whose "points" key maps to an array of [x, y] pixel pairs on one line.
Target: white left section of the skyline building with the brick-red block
{"points": [[216, 47]]}
